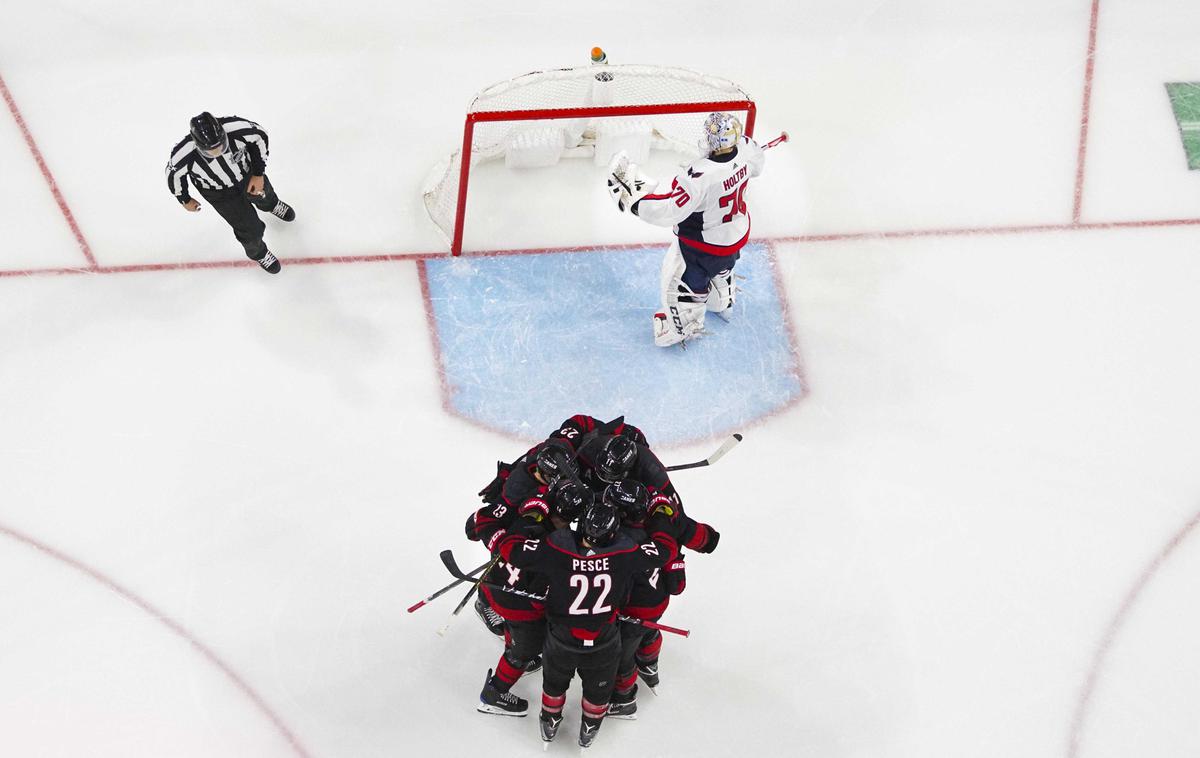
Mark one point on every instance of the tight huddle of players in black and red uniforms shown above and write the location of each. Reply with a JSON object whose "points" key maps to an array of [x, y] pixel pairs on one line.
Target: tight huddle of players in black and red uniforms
{"points": [[587, 537]]}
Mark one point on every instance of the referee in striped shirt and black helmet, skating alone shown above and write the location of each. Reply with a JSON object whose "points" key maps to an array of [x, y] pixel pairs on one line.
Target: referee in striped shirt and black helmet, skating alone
{"points": [[226, 159]]}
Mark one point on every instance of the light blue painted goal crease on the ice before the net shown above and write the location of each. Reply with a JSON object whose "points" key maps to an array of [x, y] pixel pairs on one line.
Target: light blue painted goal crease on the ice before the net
{"points": [[527, 341]]}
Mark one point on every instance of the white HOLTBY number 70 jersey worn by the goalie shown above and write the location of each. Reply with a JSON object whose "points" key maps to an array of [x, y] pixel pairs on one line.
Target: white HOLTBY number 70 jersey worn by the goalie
{"points": [[706, 202]]}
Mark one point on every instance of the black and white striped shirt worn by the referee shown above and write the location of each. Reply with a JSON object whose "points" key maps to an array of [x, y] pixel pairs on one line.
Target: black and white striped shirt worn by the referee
{"points": [[247, 157]]}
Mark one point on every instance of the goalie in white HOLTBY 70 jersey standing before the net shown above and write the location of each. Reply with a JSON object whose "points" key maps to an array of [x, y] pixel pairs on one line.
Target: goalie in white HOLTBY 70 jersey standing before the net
{"points": [[706, 207]]}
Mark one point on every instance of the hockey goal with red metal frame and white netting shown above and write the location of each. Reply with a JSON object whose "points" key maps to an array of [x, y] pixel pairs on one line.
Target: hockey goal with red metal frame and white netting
{"points": [[585, 112]]}
